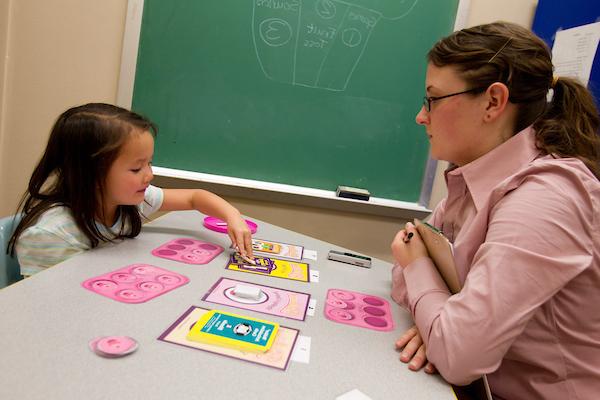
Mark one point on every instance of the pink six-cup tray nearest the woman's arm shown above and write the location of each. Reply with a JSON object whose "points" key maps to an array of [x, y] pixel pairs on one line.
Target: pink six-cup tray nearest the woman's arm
{"points": [[358, 309]]}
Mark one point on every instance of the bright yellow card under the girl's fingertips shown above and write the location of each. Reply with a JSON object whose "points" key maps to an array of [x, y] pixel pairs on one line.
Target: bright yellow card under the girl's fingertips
{"points": [[275, 267]]}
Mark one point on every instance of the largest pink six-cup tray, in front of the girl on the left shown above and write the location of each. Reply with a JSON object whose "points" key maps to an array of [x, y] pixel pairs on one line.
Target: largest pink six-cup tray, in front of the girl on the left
{"points": [[135, 283]]}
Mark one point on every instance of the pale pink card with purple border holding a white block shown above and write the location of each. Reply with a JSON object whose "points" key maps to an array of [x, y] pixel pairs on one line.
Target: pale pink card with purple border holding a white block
{"points": [[271, 300]]}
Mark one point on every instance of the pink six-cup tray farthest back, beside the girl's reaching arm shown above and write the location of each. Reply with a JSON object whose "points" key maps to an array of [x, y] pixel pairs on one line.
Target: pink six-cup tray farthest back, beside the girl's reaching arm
{"points": [[189, 251]]}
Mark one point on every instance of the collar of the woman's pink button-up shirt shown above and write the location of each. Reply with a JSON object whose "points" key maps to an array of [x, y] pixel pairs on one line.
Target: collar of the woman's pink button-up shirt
{"points": [[486, 172]]}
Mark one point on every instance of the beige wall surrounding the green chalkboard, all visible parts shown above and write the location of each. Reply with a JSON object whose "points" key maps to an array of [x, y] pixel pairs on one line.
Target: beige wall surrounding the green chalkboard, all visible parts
{"points": [[59, 53]]}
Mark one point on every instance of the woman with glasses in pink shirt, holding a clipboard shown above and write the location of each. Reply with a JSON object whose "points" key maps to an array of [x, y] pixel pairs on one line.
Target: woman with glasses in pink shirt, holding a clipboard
{"points": [[523, 214]]}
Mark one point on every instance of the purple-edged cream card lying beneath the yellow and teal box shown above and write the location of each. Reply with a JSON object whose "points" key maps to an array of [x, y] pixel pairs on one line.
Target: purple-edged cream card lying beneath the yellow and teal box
{"points": [[278, 356]]}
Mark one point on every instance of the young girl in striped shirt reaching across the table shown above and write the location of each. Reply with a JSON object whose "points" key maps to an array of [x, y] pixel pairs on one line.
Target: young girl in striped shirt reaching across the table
{"points": [[92, 187]]}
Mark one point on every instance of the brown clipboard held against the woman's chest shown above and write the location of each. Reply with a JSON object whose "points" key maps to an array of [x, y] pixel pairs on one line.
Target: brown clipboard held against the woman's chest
{"points": [[441, 253]]}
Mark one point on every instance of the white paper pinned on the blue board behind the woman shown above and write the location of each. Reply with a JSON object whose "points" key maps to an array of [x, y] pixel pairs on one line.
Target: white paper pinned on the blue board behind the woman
{"points": [[574, 51]]}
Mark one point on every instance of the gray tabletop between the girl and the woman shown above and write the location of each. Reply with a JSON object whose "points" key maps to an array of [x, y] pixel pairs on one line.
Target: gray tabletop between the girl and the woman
{"points": [[48, 320]]}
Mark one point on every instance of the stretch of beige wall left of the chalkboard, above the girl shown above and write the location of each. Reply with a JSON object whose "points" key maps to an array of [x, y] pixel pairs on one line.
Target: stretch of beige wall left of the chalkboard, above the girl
{"points": [[57, 53]]}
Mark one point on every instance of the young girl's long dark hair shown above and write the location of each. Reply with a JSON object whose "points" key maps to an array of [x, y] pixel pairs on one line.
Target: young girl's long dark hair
{"points": [[83, 144]]}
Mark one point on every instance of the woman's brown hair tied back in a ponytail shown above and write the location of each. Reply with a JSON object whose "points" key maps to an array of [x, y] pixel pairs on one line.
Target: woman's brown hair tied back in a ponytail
{"points": [[508, 53]]}
